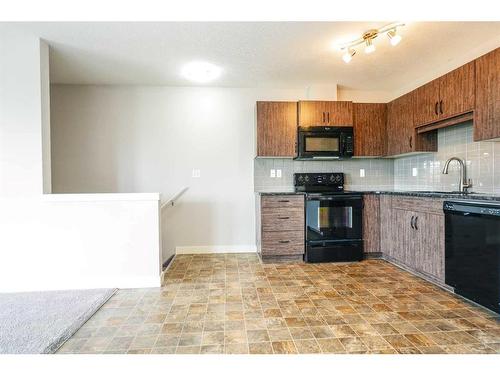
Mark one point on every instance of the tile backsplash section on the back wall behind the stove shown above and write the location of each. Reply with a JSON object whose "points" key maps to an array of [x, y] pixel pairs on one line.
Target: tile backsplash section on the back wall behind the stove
{"points": [[378, 173]]}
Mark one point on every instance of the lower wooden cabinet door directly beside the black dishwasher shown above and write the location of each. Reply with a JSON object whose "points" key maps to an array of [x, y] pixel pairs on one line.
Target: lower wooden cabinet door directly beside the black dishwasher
{"points": [[430, 258]]}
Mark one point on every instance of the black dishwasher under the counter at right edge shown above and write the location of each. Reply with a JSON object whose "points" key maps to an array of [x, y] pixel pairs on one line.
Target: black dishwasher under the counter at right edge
{"points": [[472, 251]]}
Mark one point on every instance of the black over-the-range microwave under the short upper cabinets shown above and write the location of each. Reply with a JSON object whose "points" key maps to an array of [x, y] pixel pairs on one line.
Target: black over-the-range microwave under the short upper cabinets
{"points": [[324, 142]]}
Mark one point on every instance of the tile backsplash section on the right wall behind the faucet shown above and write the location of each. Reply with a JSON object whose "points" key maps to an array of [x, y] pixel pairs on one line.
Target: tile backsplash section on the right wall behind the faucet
{"points": [[482, 161]]}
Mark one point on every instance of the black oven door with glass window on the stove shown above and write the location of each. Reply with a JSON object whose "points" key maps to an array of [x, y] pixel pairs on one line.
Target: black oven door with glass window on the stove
{"points": [[334, 217]]}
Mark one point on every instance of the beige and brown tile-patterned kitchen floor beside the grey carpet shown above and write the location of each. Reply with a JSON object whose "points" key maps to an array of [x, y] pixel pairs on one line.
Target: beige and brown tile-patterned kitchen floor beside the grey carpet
{"points": [[231, 303]]}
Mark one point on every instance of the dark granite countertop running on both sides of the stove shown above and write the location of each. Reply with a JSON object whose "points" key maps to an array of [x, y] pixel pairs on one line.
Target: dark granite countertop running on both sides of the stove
{"points": [[422, 194]]}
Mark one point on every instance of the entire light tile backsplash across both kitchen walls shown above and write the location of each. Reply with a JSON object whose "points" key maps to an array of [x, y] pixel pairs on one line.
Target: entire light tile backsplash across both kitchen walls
{"points": [[417, 172]]}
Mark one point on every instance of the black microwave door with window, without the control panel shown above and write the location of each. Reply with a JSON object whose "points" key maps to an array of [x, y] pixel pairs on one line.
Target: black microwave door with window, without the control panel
{"points": [[319, 145]]}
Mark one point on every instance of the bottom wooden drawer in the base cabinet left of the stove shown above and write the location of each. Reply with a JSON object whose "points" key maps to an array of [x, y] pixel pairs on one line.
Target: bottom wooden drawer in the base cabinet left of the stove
{"points": [[282, 243]]}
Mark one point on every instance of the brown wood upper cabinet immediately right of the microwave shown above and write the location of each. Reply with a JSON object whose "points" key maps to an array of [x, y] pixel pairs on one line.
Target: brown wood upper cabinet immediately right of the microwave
{"points": [[370, 129]]}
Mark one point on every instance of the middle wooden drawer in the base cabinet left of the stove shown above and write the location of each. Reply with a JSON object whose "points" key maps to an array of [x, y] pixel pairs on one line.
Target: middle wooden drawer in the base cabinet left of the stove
{"points": [[282, 219]]}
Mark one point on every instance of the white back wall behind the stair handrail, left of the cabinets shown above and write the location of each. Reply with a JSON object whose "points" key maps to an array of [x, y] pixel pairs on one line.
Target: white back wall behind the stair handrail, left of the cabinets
{"points": [[143, 139]]}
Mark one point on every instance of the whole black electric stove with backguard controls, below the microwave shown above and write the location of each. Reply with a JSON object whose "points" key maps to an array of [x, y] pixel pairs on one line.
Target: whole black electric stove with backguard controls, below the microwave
{"points": [[334, 218]]}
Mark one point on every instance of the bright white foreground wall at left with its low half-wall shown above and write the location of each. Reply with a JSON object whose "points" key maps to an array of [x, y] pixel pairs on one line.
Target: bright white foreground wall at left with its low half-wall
{"points": [[51, 242]]}
